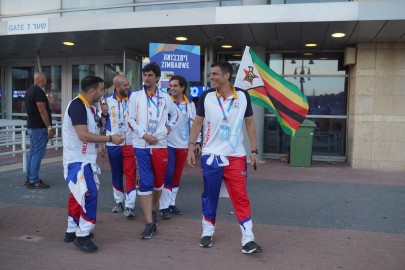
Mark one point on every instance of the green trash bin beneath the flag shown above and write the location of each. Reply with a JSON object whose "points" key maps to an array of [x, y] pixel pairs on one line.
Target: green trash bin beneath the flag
{"points": [[301, 145]]}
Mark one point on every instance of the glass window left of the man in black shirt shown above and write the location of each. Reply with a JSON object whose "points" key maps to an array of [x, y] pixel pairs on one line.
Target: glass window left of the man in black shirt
{"points": [[22, 78]]}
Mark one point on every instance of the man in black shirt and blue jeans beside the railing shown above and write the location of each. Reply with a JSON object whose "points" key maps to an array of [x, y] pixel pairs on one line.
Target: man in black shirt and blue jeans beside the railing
{"points": [[39, 124]]}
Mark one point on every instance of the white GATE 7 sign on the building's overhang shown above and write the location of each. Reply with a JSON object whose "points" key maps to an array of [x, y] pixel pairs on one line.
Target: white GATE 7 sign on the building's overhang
{"points": [[32, 26]]}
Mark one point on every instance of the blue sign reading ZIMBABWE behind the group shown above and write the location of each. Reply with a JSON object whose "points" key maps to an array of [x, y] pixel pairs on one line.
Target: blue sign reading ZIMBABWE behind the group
{"points": [[176, 59]]}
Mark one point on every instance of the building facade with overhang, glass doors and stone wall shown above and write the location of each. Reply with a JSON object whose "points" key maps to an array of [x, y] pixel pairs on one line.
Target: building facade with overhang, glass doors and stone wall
{"points": [[354, 83]]}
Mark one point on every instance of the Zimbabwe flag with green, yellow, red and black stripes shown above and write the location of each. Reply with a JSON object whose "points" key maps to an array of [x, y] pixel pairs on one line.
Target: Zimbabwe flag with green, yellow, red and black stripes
{"points": [[269, 90]]}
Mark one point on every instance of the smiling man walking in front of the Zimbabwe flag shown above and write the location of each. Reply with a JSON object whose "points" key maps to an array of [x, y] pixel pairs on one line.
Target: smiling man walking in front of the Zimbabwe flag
{"points": [[221, 111]]}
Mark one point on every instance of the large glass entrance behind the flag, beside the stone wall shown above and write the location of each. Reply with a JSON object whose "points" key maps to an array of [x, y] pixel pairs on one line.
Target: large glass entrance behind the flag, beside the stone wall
{"points": [[324, 84]]}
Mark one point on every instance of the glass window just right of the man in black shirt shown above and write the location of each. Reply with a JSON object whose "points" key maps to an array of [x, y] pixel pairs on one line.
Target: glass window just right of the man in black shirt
{"points": [[53, 87]]}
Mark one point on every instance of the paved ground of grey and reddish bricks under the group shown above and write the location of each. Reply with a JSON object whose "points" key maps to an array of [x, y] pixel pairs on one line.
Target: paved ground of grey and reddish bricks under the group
{"points": [[329, 216]]}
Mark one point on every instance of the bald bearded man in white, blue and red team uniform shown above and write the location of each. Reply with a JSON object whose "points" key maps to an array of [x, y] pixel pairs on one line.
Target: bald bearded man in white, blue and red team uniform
{"points": [[122, 158]]}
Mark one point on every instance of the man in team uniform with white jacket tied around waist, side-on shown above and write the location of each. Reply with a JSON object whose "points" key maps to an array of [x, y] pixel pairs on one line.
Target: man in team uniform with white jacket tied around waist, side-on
{"points": [[80, 131]]}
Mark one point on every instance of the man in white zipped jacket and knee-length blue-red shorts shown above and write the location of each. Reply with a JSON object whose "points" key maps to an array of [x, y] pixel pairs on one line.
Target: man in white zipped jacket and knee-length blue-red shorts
{"points": [[152, 115]]}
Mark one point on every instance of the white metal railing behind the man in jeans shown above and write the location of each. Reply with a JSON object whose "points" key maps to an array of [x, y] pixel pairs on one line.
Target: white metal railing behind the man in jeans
{"points": [[13, 136]]}
